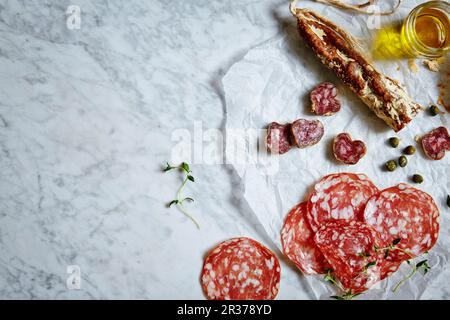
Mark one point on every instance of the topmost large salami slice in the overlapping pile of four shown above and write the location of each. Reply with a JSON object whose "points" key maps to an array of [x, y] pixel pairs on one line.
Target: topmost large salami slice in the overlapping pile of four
{"points": [[339, 196]]}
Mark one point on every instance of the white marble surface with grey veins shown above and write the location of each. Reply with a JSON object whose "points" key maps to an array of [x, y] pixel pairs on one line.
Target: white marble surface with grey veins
{"points": [[86, 119]]}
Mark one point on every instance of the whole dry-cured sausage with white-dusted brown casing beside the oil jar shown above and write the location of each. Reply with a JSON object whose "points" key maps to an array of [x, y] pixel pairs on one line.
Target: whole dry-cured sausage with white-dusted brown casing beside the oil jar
{"points": [[338, 50]]}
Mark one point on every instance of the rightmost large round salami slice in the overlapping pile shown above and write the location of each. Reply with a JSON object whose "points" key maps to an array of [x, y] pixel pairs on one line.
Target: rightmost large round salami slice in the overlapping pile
{"points": [[405, 215]]}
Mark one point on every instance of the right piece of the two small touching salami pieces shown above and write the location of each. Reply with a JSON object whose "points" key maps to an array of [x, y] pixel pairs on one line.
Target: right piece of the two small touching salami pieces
{"points": [[306, 133]]}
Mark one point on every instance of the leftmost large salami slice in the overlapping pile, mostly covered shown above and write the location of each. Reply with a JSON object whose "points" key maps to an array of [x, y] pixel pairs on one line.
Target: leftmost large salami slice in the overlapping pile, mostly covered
{"points": [[298, 243]]}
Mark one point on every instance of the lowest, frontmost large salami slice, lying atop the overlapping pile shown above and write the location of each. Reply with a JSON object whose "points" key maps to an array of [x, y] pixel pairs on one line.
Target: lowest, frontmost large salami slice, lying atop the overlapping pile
{"points": [[349, 248]]}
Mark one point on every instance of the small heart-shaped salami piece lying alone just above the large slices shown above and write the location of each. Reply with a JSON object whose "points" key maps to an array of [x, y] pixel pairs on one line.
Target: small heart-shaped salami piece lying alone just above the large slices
{"points": [[346, 150]]}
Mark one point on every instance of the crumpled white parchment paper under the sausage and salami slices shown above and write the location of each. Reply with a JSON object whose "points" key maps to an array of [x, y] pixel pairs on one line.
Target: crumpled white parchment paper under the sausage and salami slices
{"points": [[272, 82]]}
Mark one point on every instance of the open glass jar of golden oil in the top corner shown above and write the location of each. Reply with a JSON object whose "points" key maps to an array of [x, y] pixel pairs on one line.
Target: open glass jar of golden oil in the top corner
{"points": [[426, 30]]}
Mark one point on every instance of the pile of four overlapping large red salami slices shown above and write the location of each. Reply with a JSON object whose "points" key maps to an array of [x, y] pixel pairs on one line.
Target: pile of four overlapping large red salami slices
{"points": [[357, 232]]}
